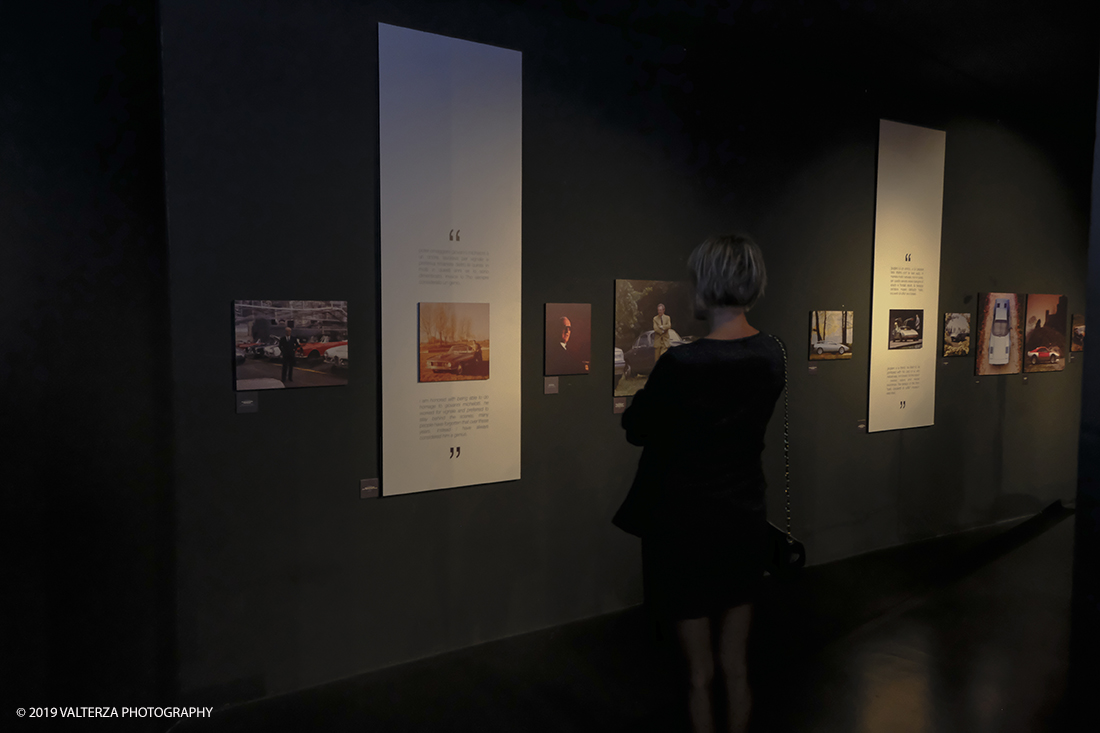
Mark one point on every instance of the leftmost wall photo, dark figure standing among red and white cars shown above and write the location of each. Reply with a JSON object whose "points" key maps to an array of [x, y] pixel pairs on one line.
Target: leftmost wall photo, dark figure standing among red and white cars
{"points": [[282, 344]]}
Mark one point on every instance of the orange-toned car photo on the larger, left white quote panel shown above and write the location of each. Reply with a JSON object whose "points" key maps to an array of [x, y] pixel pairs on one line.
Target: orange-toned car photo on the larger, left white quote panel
{"points": [[454, 342]]}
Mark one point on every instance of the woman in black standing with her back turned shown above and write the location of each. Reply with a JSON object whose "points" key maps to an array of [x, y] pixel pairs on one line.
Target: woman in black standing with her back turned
{"points": [[698, 500]]}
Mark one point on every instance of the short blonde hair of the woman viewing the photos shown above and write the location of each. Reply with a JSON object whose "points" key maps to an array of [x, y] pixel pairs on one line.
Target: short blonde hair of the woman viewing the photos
{"points": [[728, 271]]}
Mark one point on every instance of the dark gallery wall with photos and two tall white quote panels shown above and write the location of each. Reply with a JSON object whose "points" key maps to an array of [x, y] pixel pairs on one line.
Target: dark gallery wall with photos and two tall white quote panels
{"points": [[642, 135]]}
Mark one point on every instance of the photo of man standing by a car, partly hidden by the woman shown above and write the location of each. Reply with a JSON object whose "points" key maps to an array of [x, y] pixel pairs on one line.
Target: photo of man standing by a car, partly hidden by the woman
{"points": [[652, 316]]}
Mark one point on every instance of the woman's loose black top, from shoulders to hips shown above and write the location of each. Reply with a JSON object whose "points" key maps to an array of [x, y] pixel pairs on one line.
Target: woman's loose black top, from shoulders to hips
{"points": [[701, 421]]}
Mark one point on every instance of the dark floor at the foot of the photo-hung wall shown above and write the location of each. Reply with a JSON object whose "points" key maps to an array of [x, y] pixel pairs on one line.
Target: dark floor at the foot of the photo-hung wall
{"points": [[965, 633]]}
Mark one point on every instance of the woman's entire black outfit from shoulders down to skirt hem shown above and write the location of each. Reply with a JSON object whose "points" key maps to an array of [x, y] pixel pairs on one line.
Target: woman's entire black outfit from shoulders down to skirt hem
{"points": [[698, 500]]}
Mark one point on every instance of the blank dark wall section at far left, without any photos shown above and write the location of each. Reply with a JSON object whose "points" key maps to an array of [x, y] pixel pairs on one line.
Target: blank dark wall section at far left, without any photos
{"points": [[85, 373]]}
